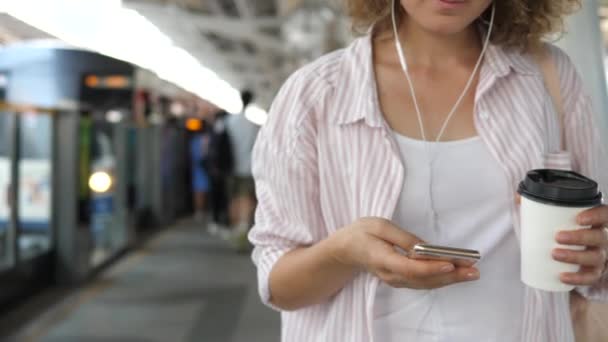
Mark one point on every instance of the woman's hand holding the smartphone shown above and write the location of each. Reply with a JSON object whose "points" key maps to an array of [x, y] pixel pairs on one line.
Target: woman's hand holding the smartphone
{"points": [[370, 243]]}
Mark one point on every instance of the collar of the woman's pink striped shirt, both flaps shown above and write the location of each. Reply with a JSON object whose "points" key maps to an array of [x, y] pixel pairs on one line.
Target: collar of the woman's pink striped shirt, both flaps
{"points": [[359, 77]]}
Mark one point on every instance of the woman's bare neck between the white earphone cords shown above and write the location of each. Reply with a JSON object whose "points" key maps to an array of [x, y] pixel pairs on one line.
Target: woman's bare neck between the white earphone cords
{"points": [[430, 49]]}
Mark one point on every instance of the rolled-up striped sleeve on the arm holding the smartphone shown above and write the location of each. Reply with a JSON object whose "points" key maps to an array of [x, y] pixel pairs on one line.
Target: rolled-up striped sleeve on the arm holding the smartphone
{"points": [[286, 175]]}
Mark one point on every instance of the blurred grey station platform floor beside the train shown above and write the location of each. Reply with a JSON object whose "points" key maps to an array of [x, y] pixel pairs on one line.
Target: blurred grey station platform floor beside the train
{"points": [[182, 285]]}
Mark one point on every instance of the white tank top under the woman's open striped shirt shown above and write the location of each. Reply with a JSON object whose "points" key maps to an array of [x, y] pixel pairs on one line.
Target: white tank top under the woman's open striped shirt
{"points": [[471, 210]]}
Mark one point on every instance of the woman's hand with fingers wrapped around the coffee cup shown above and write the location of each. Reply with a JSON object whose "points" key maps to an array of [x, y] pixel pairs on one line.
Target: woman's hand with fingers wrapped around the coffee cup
{"points": [[593, 258]]}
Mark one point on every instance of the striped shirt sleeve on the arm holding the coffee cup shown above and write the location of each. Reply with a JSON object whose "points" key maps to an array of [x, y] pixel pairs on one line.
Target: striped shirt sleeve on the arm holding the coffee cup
{"points": [[583, 140]]}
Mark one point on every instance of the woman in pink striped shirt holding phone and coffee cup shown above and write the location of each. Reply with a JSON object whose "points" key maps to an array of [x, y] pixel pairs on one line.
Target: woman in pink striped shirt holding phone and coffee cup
{"points": [[353, 163]]}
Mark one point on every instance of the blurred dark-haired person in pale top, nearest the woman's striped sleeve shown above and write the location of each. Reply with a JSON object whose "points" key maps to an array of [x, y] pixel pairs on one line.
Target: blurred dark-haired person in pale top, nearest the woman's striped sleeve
{"points": [[242, 134]]}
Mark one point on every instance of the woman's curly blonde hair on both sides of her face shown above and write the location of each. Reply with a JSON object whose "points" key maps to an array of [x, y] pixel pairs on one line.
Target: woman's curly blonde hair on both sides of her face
{"points": [[520, 24]]}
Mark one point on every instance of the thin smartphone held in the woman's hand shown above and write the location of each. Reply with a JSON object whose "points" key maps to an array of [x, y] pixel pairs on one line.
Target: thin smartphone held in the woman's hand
{"points": [[457, 256]]}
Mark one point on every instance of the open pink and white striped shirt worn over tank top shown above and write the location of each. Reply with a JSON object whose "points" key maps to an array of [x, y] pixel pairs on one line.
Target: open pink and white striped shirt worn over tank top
{"points": [[326, 157]]}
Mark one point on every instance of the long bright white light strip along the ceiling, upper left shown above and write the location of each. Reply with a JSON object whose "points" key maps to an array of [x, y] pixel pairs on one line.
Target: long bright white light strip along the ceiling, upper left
{"points": [[107, 27]]}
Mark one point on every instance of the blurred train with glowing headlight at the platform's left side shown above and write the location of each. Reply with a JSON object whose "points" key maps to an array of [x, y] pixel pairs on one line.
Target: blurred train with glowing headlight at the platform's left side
{"points": [[93, 159]]}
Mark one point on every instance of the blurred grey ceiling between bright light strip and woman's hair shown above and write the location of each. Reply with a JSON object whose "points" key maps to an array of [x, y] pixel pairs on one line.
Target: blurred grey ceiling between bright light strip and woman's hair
{"points": [[250, 44]]}
